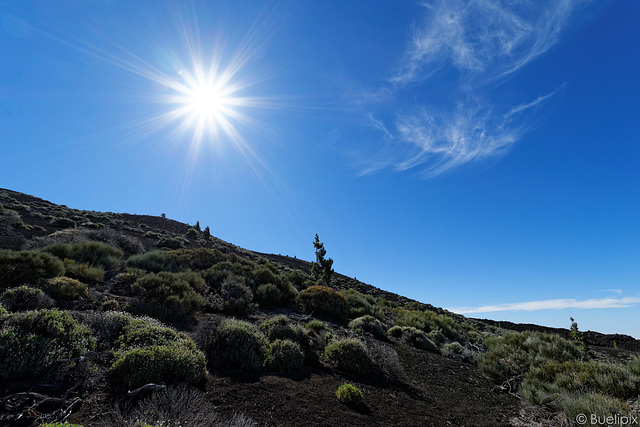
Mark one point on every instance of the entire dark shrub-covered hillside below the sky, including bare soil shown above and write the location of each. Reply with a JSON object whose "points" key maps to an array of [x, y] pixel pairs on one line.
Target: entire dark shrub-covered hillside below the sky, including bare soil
{"points": [[120, 319]]}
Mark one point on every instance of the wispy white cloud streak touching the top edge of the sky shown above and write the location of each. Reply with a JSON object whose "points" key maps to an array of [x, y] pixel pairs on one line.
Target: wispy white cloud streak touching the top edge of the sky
{"points": [[492, 37]]}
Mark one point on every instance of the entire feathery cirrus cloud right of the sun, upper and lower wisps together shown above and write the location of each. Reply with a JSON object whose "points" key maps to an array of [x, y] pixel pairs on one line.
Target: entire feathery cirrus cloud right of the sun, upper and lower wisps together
{"points": [[482, 43]]}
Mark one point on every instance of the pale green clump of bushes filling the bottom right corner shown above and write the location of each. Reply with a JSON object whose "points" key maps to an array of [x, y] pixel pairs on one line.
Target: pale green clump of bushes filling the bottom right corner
{"points": [[557, 373]]}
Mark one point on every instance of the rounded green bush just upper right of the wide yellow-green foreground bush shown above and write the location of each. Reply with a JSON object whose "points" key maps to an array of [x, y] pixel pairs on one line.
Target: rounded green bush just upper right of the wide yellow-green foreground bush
{"points": [[240, 345]]}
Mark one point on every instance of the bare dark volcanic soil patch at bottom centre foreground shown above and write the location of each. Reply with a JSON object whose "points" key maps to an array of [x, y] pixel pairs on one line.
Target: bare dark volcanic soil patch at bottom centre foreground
{"points": [[439, 392]]}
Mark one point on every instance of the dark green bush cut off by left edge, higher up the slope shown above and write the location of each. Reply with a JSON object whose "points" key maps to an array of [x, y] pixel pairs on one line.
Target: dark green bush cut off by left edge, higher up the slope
{"points": [[27, 267]]}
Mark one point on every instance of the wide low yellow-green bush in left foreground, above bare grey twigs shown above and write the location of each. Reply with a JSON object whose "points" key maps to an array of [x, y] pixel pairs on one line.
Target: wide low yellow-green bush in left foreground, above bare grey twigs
{"points": [[169, 363]]}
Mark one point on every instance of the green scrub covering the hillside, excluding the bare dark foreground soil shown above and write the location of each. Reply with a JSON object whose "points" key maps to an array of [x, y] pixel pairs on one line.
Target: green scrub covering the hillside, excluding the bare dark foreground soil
{"points": [[103, 307]]}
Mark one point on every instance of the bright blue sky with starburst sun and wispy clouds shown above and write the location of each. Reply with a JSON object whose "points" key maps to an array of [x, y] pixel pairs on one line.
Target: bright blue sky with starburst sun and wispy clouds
{"points": [[481, 156]]}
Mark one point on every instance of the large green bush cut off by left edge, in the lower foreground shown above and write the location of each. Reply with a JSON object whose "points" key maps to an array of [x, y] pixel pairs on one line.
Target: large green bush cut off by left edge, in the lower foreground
{"points": [[31, 342]]}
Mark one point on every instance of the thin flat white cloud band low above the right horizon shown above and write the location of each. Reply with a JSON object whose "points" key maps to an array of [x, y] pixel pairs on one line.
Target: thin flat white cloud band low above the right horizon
{"points": [[552, 304]]}
